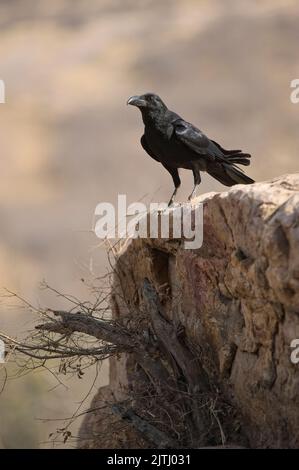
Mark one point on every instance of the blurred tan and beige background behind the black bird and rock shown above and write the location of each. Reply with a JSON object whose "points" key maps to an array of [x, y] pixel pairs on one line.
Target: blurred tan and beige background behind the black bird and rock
{"points": [[68, 140]]}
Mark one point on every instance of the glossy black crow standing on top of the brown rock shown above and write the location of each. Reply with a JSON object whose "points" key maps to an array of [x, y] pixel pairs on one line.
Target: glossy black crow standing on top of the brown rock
{"points": [[176, 143]]}
